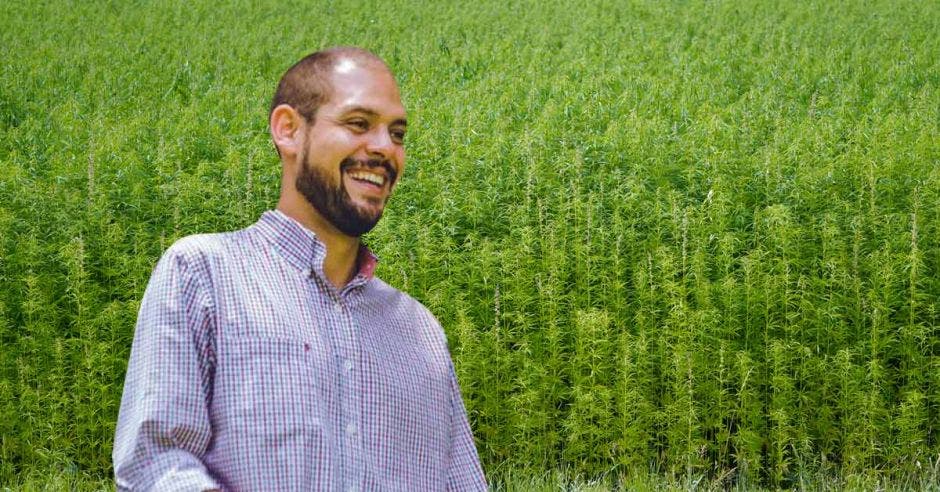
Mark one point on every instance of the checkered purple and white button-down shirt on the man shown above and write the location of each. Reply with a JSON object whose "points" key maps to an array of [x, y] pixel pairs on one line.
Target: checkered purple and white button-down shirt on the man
{"points": [[250, 371]]}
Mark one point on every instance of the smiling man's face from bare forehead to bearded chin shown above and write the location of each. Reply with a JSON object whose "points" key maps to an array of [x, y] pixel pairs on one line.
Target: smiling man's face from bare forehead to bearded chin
{"points": [[354, 150]]}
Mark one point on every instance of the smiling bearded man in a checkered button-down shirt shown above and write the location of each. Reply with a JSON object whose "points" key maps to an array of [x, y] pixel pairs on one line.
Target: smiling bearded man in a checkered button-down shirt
{"points": [[270, 358]]}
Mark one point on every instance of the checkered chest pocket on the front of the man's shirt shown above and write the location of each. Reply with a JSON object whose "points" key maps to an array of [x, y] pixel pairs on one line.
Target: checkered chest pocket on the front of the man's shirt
{"points": [[279, 385]]}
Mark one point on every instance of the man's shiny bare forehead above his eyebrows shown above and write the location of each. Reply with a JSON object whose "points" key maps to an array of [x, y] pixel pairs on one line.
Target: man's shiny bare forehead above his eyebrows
{"points": [[370, 86]]}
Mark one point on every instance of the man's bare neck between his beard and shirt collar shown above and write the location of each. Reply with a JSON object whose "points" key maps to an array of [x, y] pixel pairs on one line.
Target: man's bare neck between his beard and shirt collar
{"points": [[342, 251]]}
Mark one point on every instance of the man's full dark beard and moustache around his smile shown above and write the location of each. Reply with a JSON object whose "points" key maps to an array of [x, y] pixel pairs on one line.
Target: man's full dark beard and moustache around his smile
{"points": [[334, 202]]}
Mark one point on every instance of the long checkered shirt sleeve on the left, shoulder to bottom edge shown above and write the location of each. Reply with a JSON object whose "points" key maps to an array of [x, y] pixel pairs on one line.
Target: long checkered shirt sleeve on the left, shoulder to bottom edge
{"points": [[163, 427]]}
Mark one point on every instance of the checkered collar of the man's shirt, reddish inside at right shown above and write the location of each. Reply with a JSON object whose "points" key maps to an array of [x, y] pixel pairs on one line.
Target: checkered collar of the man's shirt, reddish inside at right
{"points": [[301, 247]]}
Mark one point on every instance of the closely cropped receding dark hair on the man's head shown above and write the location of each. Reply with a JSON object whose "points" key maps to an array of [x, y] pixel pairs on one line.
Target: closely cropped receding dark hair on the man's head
{"points": [[305, 86]]}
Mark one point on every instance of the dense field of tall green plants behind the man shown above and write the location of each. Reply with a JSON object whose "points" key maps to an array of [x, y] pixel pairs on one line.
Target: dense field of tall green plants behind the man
{"points": [[690, 239]]}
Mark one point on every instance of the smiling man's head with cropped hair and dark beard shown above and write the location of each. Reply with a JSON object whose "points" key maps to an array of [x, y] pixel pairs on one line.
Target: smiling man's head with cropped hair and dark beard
{"points": [[338, 124]]}
